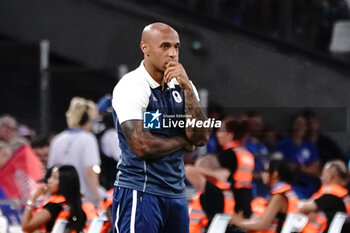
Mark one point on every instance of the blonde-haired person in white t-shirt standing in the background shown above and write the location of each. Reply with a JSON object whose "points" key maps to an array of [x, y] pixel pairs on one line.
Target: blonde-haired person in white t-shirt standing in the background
{"points": [[77, 146]]}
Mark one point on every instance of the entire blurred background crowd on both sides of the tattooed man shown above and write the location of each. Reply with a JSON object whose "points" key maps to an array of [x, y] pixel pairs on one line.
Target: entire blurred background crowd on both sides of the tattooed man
{"points": [[244, 167]]}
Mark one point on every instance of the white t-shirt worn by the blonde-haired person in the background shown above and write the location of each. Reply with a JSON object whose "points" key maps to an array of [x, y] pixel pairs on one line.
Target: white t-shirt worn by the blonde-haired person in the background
{"points": [[78, 148]]}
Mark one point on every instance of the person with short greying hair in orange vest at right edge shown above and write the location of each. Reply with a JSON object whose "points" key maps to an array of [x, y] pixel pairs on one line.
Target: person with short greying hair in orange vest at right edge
{"points": [[329, 199]]}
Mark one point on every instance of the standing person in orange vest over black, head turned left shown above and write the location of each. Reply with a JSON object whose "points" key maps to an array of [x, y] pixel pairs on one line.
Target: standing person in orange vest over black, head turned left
{"points": [[239, 161]]}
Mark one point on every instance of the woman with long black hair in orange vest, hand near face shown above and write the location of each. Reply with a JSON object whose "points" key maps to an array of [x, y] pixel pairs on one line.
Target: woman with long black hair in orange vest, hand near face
{"points": [[64, 202]]}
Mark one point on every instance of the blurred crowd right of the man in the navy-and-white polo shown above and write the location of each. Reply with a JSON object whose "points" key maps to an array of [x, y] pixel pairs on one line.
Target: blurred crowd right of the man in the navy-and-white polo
{"points": [[258, 175]]}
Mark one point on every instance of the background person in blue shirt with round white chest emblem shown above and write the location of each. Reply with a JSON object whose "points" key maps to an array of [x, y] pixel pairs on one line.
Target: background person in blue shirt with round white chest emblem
{"points": [[295, 149]]}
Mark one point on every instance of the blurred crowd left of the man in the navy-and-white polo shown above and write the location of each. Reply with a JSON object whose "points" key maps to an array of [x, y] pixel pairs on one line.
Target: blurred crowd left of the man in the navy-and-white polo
{"points": [[67, 175]]}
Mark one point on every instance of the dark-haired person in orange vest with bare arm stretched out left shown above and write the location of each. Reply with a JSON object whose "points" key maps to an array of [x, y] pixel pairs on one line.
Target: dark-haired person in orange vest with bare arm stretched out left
{"points": [[278, 175]]}
